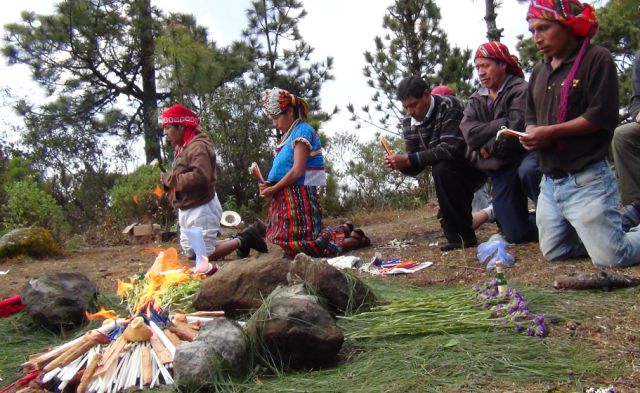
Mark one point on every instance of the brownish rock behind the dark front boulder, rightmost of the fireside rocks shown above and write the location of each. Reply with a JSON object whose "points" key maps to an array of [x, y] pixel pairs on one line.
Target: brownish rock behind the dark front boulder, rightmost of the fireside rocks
{"points": [[343, 293]]}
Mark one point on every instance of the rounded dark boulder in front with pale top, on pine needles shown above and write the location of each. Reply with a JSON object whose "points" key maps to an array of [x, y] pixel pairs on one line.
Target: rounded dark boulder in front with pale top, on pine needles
{"points": [[294, 331]]}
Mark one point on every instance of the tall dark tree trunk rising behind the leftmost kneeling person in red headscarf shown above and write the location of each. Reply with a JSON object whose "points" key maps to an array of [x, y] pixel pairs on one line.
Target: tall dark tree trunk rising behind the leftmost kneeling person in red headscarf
{"points": [[151, 131]]}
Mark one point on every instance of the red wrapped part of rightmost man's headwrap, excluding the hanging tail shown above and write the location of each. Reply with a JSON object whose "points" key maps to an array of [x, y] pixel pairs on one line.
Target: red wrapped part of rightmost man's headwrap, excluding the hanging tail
{"points": [[579, 17]]}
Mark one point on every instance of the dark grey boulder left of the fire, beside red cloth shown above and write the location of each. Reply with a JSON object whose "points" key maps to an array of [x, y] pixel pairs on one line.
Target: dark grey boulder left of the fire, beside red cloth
{"points": [[59, 300]]}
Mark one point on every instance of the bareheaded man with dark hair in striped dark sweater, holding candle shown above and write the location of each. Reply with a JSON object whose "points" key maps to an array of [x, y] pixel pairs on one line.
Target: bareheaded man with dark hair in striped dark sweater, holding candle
{"points": [[433, 140]]}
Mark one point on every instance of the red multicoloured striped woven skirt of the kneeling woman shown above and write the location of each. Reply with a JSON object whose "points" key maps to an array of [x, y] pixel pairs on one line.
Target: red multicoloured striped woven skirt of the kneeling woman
{"points": [[295, 224]]}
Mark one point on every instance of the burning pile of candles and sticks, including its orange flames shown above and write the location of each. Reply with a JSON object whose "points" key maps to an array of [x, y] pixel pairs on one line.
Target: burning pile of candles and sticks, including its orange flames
{"points": [[133, 352]]}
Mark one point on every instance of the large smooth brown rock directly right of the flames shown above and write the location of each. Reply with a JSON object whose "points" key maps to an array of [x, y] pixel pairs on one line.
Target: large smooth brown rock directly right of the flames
{"points": [[239, 287]]}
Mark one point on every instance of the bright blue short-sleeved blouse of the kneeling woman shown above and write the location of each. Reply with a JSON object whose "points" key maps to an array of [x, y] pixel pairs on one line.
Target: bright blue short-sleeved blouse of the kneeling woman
{"points": [[314, 174]]}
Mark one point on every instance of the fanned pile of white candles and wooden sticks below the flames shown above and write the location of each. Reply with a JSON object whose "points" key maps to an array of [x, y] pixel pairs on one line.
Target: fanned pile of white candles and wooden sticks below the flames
{"points": [[122, 354]]}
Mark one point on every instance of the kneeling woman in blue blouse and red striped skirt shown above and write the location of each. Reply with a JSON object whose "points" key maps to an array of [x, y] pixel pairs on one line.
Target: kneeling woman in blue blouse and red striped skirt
{"points": [[295, 214]]}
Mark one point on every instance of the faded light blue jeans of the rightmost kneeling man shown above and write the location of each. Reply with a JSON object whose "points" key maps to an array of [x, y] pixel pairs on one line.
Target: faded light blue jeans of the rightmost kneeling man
{"points": [[578, 215]]}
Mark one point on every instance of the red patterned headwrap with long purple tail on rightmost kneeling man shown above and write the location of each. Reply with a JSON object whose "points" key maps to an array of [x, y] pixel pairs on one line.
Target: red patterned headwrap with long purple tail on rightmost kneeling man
{"points": [[580, 19]]}
